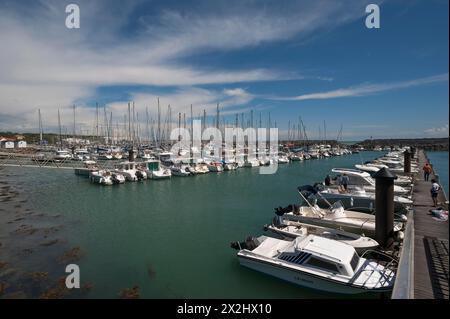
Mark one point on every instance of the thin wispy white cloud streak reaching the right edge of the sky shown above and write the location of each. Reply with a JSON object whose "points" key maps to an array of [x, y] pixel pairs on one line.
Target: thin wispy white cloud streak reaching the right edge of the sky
{"points": [[367, 89]]}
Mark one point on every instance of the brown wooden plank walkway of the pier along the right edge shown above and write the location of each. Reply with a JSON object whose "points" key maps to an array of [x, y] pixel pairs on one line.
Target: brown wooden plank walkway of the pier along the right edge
{"points": [[430, 242]]}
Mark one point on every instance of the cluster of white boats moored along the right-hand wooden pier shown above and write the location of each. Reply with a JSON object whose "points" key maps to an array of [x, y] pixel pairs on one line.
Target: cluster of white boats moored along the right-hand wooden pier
{"points": [[329, 243]]}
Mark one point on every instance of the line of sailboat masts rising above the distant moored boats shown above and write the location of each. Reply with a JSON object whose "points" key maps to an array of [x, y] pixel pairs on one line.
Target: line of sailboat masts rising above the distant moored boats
{"points": [[157, 131]]}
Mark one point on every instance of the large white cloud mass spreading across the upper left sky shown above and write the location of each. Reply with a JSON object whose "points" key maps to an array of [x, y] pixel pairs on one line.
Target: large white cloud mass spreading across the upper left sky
{"points": [[44, 65]]}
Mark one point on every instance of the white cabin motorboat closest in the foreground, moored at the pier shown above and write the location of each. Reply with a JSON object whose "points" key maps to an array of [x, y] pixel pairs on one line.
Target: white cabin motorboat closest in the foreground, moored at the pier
{"points": [[317, 262]]}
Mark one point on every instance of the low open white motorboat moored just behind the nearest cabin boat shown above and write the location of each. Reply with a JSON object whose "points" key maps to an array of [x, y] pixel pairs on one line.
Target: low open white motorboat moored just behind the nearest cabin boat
{"points": [[290, 229]]}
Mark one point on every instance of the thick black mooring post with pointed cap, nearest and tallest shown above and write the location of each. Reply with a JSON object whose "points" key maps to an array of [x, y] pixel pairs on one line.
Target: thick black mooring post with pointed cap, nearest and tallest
{"points": [[384, 204]]}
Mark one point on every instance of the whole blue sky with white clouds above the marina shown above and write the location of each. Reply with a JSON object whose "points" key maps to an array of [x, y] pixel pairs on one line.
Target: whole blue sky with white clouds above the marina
{"points": [[311, 59]]}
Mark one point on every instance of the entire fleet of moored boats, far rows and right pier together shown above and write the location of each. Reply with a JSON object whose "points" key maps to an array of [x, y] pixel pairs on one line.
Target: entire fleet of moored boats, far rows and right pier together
{"points": [[326, 244]]}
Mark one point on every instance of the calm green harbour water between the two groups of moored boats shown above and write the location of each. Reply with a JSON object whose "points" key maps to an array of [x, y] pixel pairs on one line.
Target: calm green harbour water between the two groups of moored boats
{"points": [[180, 229]]}
